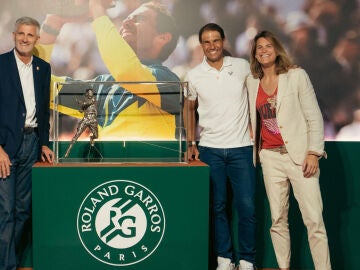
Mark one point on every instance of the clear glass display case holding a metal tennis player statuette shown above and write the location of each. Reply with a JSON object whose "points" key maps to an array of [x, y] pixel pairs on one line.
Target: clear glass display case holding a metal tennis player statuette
{"points": [[96, 121]]}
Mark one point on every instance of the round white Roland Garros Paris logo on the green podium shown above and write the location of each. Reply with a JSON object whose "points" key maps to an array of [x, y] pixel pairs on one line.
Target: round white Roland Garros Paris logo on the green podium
{"points": [[120, 223]]}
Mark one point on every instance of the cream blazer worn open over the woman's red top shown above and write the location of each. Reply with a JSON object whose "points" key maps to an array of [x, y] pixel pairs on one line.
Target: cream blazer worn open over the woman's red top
{"points": [[297, 112]]}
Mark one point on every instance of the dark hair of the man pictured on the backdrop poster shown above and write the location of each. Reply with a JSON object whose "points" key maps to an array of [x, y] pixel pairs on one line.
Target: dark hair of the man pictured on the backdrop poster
{"points": [[165, 23]]}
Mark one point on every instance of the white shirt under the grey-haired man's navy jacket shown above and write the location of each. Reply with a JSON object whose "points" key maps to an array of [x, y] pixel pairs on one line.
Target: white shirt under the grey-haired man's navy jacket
{"points": [[27, 84]]}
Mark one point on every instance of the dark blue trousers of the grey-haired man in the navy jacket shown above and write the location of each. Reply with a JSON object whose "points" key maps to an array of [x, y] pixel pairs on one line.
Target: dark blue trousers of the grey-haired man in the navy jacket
{"points": [[15, 200]]}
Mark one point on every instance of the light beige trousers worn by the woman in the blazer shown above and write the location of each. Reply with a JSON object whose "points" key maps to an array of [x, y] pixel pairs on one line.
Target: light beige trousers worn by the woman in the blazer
{"points": [[279, 173]]}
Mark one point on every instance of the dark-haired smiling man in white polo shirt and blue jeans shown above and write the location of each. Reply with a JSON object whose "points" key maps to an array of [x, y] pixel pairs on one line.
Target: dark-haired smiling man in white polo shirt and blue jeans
{"points": [[217, 86]]}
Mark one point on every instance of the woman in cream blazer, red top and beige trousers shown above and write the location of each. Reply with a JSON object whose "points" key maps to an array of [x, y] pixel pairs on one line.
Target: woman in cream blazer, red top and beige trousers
{"points": [[288, 132]]}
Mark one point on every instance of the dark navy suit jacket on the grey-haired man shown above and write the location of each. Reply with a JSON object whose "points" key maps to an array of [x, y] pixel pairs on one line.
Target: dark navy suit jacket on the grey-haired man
{"points": [[12, 104]]}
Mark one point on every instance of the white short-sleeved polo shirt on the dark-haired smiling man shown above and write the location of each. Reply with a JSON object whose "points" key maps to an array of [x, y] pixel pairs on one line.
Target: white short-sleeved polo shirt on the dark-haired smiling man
{"points": [[222, 103]]}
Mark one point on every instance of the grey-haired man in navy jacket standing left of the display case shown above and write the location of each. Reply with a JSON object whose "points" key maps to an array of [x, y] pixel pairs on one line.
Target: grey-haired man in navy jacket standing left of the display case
{"points": [[24, 133]]}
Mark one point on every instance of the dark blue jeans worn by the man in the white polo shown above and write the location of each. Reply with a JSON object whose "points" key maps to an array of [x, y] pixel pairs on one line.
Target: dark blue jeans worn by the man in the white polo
{"points": [[236, 165]]}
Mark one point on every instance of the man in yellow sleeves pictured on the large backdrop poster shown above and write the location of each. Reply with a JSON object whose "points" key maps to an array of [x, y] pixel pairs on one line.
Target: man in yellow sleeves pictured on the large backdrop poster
{"points": [[134, 53]]}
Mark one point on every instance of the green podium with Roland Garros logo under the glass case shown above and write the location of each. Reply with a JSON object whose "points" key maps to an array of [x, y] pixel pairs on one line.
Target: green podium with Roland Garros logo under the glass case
{"points": [[120, 216]]}
